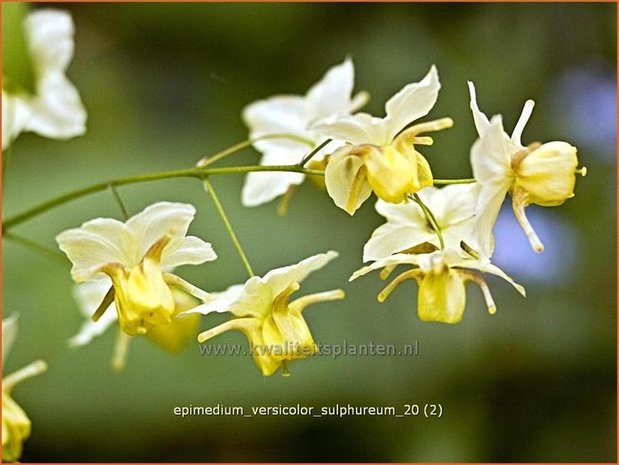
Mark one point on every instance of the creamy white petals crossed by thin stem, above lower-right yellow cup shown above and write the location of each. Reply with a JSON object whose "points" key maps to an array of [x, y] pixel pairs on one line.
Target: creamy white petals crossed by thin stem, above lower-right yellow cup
{"points": [[407, 227]]}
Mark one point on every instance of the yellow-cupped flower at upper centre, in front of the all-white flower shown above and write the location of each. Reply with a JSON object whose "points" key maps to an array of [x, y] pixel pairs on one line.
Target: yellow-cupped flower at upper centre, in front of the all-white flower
{"points": [[380, 158]]}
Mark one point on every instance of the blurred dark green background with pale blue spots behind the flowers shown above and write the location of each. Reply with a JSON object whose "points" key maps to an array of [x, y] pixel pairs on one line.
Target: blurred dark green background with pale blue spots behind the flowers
{"points": [[164, 85]]}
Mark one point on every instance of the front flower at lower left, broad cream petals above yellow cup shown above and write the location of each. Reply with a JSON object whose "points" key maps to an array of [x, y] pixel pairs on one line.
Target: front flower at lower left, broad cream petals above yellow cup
{"points": [[138, 256]]}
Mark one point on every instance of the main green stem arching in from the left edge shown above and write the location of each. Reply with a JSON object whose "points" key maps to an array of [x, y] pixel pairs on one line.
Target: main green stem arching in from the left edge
{"points": [[198, 173]]}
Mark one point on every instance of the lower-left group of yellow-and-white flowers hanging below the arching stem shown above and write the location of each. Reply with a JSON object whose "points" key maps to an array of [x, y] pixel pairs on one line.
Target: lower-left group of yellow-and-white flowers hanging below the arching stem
{"points": [[127, 268]]}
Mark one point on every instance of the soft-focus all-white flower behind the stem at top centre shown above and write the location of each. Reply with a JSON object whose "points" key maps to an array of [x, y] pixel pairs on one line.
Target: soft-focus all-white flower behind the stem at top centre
{"points": [[292, 115]]}
